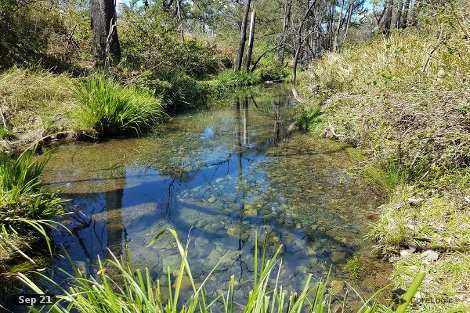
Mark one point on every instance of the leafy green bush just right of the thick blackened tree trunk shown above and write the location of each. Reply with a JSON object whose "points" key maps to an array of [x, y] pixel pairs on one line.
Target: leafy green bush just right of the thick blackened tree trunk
{"points": [[151, 42]]}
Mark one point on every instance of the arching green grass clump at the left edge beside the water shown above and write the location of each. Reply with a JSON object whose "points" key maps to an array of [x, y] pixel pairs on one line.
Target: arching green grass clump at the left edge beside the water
{"points": [[25, 210]]}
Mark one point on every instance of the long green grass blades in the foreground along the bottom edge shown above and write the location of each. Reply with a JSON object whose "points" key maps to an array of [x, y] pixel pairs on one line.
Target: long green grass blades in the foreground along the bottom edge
{"points": [[134, 290]]}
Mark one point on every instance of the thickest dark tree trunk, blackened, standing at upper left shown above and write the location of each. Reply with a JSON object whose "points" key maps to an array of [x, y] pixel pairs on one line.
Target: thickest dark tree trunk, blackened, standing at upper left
{"points": [[104, 26]]}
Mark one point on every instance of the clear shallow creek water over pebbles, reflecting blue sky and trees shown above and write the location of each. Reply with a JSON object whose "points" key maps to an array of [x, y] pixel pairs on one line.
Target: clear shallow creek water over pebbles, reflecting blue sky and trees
{"points": [[220, 176]]}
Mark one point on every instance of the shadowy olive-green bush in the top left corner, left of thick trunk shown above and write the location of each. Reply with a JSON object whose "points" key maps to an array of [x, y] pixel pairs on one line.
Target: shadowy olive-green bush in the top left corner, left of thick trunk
{"points": [[42, 32]]}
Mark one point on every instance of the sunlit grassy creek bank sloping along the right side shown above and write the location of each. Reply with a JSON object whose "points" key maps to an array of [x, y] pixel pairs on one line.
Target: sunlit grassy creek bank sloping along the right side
{"points": [[414, 125]]}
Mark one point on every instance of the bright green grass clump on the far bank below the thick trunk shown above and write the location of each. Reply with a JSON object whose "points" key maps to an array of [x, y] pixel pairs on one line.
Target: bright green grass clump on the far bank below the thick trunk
{"points": [[112, 109]]}
